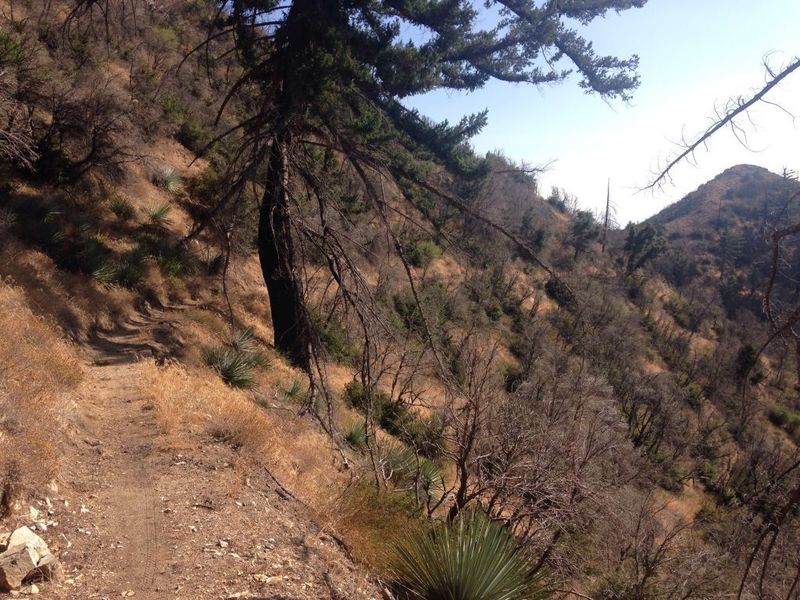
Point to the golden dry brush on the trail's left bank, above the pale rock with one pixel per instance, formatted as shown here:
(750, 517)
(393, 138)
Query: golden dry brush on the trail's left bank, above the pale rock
(37, 371)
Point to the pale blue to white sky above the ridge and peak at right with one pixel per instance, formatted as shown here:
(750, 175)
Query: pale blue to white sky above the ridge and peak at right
(694, 56)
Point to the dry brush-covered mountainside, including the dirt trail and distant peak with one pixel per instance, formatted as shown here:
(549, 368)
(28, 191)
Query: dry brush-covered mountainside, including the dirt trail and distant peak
(608, 407)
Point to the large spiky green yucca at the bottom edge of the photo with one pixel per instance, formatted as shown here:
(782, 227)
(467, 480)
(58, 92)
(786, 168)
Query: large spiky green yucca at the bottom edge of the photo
(472, 559)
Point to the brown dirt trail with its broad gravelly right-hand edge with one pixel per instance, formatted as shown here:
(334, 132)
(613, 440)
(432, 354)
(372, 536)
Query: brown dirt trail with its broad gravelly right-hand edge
(135, 517)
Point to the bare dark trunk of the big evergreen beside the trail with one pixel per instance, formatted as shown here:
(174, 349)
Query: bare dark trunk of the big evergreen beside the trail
(278, 263)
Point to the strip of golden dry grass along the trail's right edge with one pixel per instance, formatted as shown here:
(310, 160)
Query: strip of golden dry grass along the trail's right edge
(194, 405)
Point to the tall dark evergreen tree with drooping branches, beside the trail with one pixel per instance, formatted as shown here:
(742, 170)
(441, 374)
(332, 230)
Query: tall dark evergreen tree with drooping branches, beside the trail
(326, 80)
